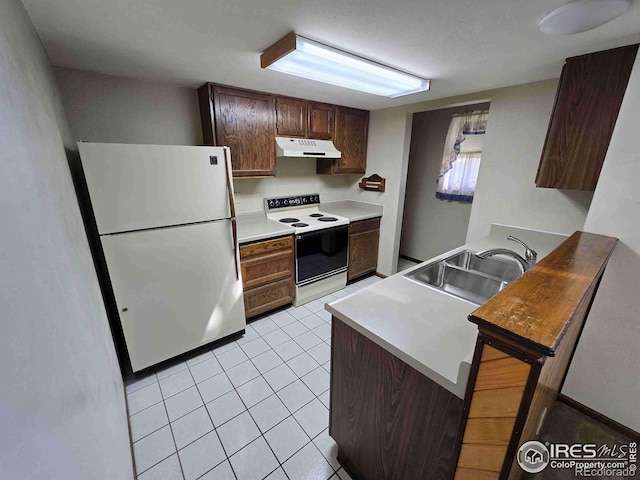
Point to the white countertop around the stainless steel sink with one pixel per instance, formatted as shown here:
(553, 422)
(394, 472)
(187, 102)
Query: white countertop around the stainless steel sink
(424, 327)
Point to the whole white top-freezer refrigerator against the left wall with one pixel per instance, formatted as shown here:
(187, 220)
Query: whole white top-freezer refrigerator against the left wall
(166, 220)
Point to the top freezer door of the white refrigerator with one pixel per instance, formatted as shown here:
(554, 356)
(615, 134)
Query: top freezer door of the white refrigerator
(133, 187)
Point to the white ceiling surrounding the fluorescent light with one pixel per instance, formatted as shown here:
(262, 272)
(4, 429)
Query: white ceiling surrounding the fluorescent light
(462, 45)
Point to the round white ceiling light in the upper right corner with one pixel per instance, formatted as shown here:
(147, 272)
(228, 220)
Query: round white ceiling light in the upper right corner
(582, 15)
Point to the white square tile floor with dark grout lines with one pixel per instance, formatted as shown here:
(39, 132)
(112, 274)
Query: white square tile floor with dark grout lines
(252, 409)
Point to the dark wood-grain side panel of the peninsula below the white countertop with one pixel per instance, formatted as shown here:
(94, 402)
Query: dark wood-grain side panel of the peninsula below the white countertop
(389, 420)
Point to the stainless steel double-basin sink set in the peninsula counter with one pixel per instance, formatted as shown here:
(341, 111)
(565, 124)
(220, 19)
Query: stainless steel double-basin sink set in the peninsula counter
(466, 276)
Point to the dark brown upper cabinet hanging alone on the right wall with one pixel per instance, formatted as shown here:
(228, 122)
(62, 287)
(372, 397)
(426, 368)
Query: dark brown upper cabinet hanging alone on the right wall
(587, 103)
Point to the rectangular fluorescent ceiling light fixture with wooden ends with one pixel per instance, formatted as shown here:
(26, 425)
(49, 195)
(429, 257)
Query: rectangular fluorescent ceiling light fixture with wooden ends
(306, 58)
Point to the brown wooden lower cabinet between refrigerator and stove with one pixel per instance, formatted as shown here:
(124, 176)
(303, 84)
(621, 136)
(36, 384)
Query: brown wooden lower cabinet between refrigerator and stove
(267, 274)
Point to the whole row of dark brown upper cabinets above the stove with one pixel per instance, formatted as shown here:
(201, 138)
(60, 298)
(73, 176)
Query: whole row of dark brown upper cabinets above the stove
(248, 122)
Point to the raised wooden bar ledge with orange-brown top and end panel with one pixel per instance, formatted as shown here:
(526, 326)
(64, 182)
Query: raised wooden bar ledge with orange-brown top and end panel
(527, 334)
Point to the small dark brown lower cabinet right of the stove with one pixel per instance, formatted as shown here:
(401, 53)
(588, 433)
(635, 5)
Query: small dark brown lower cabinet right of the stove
(364, 237)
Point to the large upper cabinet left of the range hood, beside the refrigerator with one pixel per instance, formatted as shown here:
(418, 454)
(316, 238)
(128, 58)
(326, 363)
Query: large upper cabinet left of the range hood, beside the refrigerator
(244, 121)
